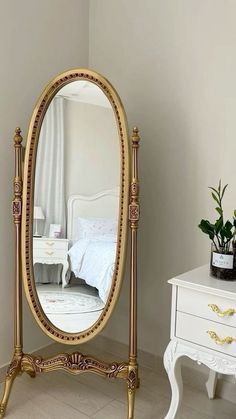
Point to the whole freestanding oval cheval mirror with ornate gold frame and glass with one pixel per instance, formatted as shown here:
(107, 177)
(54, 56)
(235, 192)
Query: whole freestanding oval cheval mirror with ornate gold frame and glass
(71, 213)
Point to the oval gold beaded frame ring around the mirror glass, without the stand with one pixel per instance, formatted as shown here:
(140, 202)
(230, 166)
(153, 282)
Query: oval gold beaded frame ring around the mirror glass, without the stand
(28, 198)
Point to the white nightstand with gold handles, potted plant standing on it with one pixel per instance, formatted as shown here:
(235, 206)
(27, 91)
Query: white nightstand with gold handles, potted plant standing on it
(203, 328)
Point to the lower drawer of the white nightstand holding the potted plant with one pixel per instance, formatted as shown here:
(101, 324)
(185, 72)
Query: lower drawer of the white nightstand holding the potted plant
(194, 329)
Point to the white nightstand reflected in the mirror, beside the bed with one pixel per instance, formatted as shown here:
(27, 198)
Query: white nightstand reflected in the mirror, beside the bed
(52, 251)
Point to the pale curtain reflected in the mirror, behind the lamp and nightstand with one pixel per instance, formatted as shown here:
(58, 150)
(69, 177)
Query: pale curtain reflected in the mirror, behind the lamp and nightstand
(50, 181)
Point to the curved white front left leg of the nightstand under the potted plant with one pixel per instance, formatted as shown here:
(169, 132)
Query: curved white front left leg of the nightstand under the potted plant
(173, 369)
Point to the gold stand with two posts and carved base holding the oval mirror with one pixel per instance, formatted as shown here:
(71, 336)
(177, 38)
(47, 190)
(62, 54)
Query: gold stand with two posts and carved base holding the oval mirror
(75, 363)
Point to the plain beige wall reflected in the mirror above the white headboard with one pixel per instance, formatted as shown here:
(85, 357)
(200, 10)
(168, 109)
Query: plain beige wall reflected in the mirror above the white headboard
(91, 138)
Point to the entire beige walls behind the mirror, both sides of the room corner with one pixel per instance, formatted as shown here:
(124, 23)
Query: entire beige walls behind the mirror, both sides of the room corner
(174, 65)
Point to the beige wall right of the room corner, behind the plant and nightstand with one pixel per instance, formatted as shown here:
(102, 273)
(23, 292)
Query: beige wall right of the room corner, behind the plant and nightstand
(173, 64)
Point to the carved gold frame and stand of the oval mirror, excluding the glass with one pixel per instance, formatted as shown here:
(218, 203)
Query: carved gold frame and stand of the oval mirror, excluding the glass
(74, 363)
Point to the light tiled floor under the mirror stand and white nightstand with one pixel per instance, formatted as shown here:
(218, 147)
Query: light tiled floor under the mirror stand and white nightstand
(62, 396)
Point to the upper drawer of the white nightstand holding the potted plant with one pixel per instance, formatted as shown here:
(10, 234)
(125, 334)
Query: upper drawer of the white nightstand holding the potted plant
(197, 303)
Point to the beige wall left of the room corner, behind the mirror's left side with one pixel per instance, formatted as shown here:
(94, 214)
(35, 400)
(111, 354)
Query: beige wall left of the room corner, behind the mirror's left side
(38, 39)
